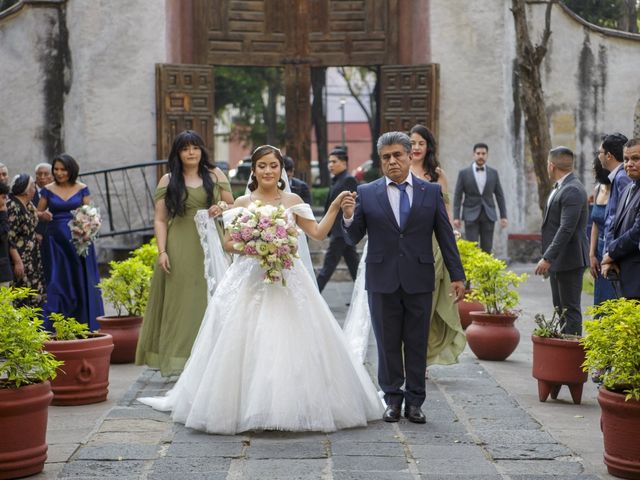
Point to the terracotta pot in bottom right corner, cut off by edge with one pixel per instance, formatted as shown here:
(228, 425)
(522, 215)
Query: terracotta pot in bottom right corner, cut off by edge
(620, 424)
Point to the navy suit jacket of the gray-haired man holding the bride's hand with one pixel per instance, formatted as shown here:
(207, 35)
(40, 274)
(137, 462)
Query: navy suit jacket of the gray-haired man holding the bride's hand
(403, 258)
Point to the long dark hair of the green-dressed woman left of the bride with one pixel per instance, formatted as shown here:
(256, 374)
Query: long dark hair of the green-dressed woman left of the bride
(176, 196)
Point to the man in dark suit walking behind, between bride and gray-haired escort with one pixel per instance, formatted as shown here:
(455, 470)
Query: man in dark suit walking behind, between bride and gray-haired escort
(341, 180)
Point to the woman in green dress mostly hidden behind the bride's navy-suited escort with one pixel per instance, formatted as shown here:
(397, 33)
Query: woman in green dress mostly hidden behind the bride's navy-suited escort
(446, 336)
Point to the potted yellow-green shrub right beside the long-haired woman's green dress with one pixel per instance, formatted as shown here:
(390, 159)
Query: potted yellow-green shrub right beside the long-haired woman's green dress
(127, 289)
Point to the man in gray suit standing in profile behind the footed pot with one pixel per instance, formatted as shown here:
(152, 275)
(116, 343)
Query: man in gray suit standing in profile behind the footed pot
(564, 239)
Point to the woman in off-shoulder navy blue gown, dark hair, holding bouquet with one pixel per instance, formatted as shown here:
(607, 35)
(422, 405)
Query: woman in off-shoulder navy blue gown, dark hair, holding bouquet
(71, 279)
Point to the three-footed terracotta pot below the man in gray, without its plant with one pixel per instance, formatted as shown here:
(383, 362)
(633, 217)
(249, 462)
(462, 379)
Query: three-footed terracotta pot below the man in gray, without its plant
(557, 362)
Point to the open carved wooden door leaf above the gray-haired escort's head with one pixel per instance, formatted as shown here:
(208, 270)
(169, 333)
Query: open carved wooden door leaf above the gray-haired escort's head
(409, 95)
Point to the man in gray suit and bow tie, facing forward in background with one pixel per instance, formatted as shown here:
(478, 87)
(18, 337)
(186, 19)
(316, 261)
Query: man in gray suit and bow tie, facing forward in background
(479, 183)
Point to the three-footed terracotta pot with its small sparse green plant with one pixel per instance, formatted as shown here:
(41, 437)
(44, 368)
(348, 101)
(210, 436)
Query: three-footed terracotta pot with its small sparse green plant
(557, 358)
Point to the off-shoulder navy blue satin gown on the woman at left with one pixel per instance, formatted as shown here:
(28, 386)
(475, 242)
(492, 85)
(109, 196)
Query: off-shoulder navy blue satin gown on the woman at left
(71, 279)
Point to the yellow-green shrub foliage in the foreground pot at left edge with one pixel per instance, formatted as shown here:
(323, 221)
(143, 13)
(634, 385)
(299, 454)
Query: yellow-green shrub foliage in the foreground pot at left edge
(23, 360)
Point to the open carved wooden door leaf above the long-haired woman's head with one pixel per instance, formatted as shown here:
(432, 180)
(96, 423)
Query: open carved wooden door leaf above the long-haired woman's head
(184, 101)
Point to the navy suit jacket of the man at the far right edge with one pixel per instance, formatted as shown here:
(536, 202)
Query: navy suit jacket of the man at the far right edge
(623, 246)
